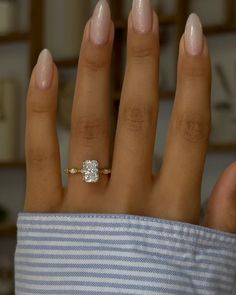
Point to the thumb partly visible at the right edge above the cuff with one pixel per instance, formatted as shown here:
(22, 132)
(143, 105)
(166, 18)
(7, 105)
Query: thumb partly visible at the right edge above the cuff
(221, 211)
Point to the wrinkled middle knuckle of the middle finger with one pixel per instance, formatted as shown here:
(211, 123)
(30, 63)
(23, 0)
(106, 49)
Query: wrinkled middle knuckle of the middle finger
(138, 118)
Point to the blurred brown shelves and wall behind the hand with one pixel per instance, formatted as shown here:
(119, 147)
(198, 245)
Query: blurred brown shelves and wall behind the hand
(27, 26)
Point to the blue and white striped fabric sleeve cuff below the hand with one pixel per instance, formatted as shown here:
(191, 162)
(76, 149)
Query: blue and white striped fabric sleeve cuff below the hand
(106, 254)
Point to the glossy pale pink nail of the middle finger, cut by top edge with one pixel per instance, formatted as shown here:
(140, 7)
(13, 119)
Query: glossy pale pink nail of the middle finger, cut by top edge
(142, 15)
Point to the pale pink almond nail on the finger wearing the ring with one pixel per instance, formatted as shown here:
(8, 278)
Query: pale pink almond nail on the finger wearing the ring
(100, 23)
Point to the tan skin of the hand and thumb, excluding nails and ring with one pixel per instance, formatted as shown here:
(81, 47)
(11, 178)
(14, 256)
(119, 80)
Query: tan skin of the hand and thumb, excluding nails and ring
(131, 188)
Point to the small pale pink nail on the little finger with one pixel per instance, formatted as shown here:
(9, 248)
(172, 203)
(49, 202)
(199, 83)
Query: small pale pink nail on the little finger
(44, 69)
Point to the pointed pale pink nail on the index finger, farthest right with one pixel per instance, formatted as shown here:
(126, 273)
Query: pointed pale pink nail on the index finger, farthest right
(193, 35)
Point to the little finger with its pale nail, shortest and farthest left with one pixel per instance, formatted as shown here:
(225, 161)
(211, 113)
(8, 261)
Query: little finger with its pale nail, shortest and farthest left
(44, 187)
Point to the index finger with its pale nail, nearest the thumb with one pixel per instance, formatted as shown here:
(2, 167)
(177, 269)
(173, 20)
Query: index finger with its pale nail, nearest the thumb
(179, 186)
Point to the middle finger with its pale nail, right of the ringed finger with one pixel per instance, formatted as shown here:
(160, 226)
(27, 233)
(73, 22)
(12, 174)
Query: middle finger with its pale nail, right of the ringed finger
(136, 128)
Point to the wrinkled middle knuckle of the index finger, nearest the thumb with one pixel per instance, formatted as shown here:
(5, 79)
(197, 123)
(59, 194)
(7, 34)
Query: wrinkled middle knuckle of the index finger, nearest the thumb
(192, 128)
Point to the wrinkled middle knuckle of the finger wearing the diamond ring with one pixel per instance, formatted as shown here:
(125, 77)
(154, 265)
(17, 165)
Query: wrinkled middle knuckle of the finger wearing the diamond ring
(90, 129)
